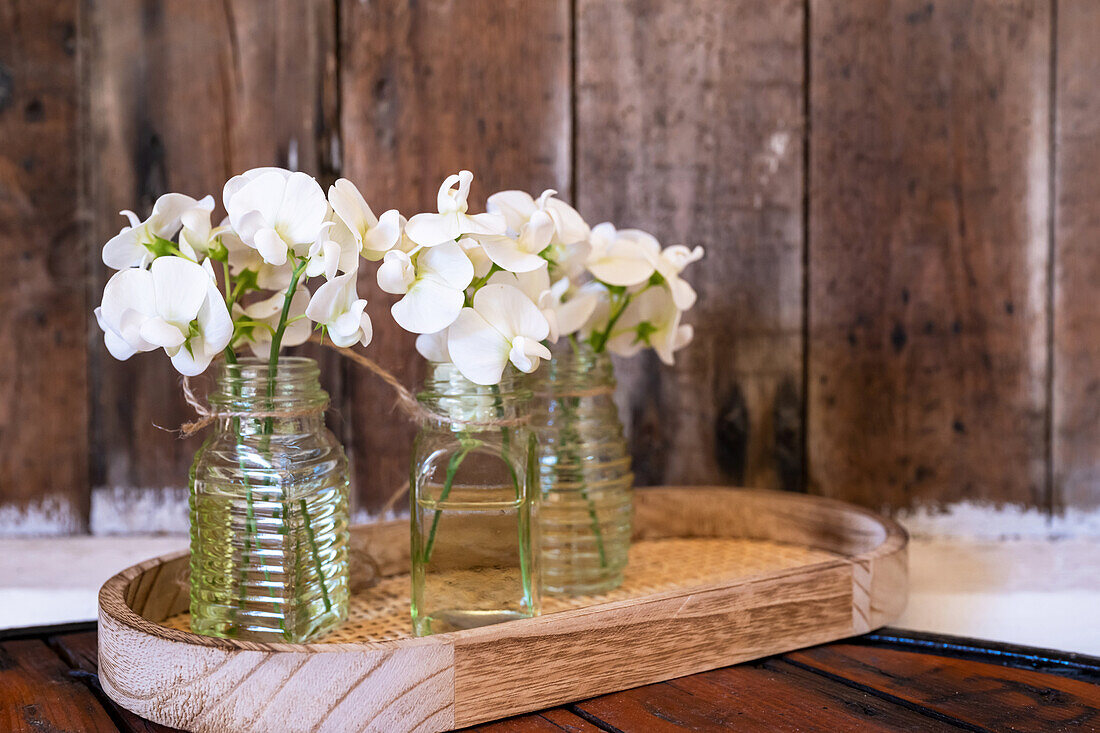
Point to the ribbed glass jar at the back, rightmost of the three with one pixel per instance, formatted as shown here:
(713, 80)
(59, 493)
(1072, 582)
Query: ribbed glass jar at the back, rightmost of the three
(585, 474)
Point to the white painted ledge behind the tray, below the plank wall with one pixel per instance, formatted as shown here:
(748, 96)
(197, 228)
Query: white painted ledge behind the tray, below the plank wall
(1040, 593)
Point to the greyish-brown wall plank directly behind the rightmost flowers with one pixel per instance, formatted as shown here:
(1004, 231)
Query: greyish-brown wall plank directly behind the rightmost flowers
(690, 126)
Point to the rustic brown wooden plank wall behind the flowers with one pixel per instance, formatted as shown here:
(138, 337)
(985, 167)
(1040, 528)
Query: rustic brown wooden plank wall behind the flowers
(899, 200)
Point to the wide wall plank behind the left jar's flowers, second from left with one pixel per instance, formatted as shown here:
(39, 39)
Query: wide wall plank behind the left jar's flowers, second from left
(182, 96)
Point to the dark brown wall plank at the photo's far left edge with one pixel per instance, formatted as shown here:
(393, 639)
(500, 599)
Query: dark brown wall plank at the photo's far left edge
(43, 382)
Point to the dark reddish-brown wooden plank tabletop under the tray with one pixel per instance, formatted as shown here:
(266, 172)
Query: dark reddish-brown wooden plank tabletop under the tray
(890, 681)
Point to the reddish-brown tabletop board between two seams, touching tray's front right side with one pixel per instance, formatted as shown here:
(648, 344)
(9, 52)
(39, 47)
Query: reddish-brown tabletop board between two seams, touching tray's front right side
(765, 696)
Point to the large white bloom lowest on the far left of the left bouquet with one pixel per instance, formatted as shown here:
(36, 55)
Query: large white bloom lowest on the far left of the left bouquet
(174, 305)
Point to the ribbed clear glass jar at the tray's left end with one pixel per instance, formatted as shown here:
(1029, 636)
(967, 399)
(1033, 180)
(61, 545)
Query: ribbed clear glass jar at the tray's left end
(269, 509)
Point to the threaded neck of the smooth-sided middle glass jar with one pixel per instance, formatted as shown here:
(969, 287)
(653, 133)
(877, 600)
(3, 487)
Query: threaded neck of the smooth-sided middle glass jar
(448, 393)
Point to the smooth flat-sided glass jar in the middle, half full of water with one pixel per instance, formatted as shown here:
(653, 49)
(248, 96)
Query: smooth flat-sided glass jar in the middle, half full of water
(474, 506)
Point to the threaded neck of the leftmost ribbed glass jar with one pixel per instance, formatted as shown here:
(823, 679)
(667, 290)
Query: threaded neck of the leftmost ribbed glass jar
(251, 390)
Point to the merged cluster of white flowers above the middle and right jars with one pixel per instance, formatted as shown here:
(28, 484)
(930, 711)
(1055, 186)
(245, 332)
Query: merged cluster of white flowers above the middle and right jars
(487, 290)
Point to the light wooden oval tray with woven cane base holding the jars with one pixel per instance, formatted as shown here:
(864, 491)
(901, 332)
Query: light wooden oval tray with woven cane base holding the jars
(717, 577)
